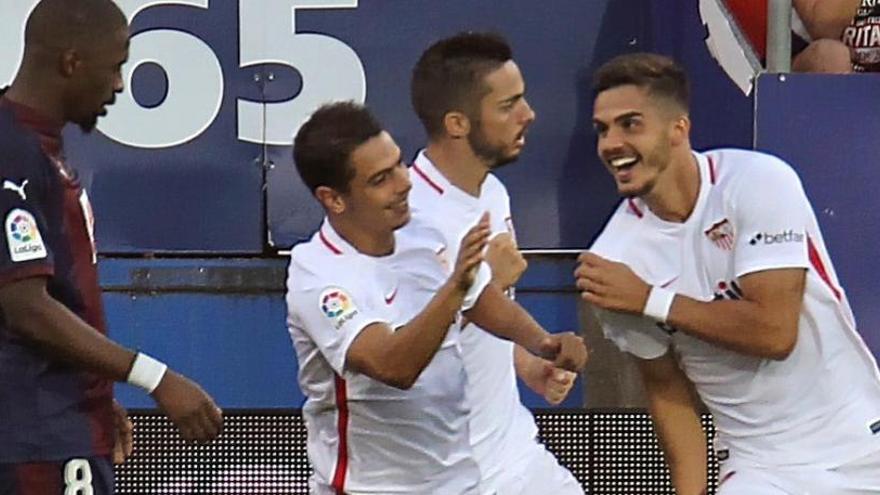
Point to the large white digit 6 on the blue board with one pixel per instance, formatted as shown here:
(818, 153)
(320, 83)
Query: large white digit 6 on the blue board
(195, 85)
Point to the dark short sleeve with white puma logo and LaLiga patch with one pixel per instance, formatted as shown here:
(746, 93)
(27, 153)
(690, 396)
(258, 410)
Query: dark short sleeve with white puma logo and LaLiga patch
(24, 249)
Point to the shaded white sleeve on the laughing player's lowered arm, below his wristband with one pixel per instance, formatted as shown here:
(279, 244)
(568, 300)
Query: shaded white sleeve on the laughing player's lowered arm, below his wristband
(635, 335)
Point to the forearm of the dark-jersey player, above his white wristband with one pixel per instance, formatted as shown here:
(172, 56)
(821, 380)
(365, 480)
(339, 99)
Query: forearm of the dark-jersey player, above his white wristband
(55, 330)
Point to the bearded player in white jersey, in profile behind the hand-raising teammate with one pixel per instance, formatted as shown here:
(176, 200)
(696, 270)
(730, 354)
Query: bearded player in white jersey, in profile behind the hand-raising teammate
(470, 96)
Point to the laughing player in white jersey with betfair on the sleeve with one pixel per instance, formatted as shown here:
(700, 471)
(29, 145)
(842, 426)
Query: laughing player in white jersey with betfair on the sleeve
(713, 273)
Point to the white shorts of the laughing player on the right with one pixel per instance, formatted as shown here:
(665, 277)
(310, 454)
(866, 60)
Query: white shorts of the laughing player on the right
(860, 477)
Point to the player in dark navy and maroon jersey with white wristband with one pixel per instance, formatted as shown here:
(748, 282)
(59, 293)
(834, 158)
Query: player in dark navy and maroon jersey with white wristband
(59, 424)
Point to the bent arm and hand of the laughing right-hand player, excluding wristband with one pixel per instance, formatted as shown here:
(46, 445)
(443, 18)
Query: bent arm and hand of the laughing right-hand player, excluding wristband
(764, 323)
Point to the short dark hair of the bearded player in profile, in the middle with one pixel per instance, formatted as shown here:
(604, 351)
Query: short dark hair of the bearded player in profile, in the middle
(449, 76)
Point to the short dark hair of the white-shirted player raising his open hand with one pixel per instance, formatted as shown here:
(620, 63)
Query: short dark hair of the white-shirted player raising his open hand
(323, 146)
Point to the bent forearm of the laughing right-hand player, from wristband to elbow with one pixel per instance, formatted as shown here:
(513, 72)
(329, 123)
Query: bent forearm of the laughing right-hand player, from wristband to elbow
(741, 326)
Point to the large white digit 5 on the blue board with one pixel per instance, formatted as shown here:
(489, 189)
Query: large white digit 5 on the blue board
(330, 69)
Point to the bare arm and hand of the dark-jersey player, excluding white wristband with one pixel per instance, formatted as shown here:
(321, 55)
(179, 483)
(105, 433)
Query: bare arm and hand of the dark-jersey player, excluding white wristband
(51, 328)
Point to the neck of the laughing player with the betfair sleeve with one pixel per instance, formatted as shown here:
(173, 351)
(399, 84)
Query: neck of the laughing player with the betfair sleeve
(674, 195)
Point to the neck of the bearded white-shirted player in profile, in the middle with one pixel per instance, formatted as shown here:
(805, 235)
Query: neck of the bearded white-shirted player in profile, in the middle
(456, 160)
